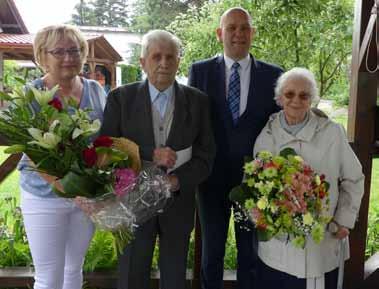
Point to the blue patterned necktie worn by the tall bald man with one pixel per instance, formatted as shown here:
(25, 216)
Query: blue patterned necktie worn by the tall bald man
(234, 93)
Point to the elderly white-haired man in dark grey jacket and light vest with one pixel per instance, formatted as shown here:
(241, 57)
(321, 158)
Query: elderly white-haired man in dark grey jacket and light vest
(171, 124)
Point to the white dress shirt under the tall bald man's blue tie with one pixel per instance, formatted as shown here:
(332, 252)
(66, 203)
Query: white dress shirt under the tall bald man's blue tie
(244, 71)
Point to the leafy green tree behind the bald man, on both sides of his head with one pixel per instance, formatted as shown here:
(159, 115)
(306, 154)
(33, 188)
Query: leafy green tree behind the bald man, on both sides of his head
(311, 33)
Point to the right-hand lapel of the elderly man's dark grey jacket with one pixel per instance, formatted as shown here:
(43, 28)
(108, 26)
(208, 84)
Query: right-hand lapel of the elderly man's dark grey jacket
(180, 115)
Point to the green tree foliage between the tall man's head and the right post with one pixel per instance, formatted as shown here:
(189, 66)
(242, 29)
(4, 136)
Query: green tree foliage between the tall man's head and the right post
(312, 33)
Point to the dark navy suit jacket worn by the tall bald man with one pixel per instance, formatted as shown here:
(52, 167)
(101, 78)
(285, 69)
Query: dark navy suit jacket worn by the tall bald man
(234, 142)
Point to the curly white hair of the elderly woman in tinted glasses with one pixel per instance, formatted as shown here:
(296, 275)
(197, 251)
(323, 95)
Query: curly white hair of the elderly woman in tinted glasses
(297, 73)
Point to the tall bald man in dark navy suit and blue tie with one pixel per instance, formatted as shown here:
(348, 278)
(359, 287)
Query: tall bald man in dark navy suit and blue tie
(241, 92)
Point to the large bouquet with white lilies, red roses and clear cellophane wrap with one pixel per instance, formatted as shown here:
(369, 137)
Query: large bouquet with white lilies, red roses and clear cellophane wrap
(58, 138)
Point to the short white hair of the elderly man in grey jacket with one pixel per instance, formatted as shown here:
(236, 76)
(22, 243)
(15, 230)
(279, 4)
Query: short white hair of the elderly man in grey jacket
(155, 36)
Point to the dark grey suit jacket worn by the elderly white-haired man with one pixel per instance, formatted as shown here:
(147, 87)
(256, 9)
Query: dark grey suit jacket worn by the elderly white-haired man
(128, 114)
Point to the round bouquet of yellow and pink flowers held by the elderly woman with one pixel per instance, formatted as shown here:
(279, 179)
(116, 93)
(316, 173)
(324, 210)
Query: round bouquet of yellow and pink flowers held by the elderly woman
(283, 197)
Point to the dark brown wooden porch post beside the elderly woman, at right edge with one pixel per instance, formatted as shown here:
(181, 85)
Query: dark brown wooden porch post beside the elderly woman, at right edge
(361, 128)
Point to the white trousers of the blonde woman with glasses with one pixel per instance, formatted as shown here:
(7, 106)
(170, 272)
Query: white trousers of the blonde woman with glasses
(59, 235)
